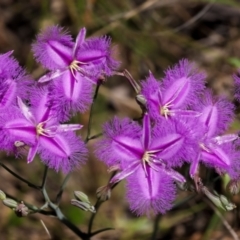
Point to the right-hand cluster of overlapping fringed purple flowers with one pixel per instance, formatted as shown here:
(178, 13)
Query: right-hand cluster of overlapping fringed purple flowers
(183, 123)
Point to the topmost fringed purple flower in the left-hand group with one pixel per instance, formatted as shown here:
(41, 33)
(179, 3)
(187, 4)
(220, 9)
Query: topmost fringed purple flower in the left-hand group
(74, 67)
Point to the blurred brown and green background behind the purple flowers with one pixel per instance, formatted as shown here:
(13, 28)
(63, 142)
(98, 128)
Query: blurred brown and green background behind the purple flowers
(146, 35)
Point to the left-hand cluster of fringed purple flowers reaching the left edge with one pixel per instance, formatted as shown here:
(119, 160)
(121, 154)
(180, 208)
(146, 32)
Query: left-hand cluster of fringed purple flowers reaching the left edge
(34, 113)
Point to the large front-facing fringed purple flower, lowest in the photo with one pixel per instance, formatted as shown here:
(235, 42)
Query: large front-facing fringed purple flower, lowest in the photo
(142, 155)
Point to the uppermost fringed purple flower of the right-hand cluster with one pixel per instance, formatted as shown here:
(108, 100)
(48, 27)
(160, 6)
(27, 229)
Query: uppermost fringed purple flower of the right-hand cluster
(178, 90)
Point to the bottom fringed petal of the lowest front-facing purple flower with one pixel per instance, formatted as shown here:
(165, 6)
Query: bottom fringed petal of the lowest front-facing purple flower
(153, 193)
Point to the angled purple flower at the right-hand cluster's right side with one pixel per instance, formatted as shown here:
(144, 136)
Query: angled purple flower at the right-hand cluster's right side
(215, 150)
